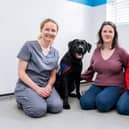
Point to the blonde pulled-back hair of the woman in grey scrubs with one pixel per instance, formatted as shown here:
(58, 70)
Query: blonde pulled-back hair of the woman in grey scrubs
(46, 21)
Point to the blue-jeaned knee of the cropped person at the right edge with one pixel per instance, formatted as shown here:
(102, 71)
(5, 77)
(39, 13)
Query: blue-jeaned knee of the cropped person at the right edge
(123, 104)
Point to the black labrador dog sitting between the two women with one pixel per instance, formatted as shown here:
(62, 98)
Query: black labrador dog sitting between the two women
(68, 77)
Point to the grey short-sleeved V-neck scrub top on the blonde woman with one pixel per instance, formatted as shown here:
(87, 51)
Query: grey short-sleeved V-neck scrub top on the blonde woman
(39, 66)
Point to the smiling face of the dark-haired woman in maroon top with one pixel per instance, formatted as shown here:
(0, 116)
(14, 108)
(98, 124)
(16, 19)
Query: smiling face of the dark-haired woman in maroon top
(107, 34)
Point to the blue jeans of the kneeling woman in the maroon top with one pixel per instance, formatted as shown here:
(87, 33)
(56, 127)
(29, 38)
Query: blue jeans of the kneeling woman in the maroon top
(102, 98)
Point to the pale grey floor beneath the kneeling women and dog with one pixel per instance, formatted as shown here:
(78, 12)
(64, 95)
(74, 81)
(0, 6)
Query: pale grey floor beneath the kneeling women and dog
(13, 118)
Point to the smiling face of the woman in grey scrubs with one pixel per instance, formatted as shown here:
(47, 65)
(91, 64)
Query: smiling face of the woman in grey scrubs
(49, 32)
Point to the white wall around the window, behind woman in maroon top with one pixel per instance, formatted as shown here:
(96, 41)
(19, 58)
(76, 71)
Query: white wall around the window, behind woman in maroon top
(98, 16)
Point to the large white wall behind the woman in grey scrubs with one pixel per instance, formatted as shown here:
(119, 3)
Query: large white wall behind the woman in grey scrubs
(20, 22)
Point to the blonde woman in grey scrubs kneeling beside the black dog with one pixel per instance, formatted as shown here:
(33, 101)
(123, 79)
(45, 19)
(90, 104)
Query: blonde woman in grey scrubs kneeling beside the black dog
(37, 66)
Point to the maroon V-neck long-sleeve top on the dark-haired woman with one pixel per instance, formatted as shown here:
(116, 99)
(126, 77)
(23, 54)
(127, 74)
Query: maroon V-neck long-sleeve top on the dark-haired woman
(109, 72)
